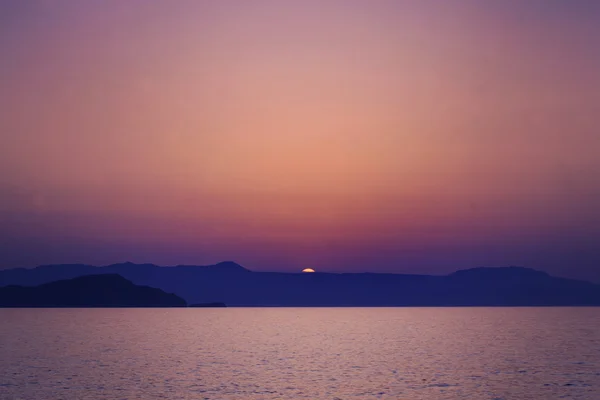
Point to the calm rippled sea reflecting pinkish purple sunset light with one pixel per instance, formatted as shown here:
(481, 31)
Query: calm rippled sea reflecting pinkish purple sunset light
(300, 353)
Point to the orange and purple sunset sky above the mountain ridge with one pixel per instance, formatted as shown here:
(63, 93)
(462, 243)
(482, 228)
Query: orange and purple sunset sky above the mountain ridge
(384, 136)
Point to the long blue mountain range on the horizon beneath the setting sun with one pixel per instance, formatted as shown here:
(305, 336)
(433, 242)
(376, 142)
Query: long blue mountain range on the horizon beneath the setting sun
(231, 284)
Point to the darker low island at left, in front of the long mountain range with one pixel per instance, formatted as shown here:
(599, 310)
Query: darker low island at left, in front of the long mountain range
(106, 290)
